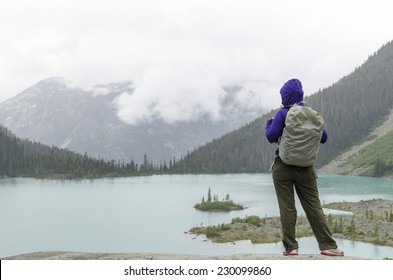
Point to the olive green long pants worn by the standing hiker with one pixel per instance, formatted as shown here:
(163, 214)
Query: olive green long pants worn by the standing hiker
(287, 179)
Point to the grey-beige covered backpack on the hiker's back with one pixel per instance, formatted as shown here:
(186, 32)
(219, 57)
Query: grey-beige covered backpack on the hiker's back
(301, 137)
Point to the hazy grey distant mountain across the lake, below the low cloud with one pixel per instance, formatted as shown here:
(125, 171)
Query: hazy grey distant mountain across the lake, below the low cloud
(56, 112)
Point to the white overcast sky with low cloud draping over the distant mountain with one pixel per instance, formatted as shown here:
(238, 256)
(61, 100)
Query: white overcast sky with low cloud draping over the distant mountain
(179, 54)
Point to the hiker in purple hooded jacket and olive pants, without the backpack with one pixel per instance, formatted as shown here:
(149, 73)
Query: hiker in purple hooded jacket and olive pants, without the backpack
(290, 178)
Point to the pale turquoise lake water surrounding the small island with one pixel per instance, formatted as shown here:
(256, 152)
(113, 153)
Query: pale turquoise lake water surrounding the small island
(152, 214)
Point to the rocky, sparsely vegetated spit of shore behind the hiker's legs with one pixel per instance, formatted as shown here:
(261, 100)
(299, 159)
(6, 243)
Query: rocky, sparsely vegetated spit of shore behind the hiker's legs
(367, 221)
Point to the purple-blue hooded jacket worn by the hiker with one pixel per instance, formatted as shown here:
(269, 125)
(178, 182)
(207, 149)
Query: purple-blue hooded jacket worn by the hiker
(291, 93)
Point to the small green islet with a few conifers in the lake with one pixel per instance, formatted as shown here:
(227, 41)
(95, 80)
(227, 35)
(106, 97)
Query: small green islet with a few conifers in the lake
(212, 204)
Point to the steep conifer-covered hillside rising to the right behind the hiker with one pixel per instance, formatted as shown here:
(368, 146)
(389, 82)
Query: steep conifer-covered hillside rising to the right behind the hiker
(352, 107)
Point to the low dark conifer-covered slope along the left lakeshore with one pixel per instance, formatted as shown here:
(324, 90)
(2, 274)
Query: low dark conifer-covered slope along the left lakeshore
(23, 158)
